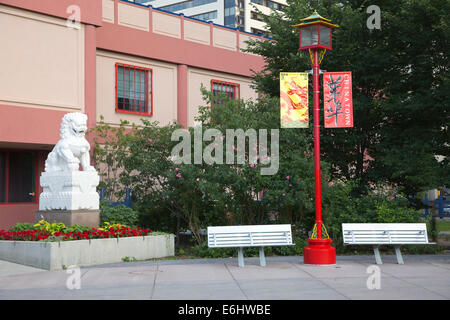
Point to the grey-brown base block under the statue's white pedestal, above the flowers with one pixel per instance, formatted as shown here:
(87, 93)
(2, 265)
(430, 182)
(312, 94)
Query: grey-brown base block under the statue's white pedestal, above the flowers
(89, 218)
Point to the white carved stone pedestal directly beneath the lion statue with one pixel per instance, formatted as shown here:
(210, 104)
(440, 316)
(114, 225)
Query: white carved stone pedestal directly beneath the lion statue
(69, 190)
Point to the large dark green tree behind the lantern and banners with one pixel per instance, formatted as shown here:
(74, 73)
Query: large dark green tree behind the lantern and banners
(400, 87)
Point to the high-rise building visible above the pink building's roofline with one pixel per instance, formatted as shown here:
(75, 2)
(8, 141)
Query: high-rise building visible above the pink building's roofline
(239, 14)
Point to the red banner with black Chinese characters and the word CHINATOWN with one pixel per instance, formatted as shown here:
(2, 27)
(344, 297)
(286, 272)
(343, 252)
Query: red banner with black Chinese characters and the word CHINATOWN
(338, 102)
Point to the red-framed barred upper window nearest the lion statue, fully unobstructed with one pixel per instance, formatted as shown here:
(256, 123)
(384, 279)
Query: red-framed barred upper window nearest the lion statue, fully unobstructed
(133, 90)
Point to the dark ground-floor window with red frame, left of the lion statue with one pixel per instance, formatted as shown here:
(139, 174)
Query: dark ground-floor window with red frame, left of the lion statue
(18, 177)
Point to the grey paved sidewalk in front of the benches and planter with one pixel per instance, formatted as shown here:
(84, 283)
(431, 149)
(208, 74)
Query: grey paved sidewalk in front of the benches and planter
(422, 277)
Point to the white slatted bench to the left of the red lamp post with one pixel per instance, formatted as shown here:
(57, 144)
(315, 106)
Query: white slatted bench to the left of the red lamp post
(250, 236)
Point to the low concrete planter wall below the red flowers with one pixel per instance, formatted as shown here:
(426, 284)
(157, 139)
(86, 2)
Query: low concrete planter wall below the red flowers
(55, 255)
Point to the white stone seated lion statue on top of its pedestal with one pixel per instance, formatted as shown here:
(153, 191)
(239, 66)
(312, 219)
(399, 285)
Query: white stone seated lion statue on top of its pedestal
(73, 148)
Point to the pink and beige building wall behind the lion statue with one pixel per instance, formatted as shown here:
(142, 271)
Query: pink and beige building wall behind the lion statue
(67, 69)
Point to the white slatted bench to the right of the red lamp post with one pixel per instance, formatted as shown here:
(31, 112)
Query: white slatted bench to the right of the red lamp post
(376, 234)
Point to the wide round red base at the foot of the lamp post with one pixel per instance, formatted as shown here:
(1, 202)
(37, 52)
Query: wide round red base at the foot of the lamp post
(319, 252)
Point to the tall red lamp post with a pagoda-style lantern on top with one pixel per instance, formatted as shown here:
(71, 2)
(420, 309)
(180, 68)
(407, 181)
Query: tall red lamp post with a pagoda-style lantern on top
(315, 35)
